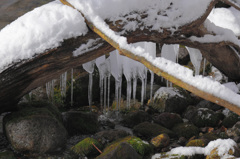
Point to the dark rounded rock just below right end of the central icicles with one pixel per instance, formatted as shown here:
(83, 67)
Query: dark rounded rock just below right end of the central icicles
(134, 118)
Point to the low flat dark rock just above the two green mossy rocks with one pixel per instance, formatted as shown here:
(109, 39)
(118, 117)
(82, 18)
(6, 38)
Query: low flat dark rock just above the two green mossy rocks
(108, 136)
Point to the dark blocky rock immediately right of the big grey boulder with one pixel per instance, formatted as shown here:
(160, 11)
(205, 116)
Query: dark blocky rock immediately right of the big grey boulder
(80, 122)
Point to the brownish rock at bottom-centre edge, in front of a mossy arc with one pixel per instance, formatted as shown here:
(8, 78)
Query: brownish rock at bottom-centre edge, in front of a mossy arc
(123, 150)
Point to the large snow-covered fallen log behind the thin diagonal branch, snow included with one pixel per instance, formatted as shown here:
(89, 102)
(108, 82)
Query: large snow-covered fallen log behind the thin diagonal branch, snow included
(21, 75)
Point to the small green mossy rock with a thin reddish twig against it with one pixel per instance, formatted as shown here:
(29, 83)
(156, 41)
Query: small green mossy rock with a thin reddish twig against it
(86, 147)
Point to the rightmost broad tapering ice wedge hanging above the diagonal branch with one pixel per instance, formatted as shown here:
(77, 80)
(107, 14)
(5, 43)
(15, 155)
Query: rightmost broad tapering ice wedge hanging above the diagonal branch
(196, 59)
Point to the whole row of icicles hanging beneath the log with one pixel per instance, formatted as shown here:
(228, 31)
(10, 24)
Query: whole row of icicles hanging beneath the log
(117, 65)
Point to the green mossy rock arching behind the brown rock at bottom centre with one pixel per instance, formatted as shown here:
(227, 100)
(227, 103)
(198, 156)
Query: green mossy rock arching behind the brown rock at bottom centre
(140, 146)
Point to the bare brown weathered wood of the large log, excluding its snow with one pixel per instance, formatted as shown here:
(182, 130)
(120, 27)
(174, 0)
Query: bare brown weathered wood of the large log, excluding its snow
(22, 77)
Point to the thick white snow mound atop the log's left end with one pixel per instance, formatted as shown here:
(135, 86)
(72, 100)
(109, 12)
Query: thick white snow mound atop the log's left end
(36, 31)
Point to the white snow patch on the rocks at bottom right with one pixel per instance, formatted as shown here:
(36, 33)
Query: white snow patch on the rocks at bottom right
(223, 146)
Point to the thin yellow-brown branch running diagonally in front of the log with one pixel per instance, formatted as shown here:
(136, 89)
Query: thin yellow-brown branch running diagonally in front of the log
(150, 63)
